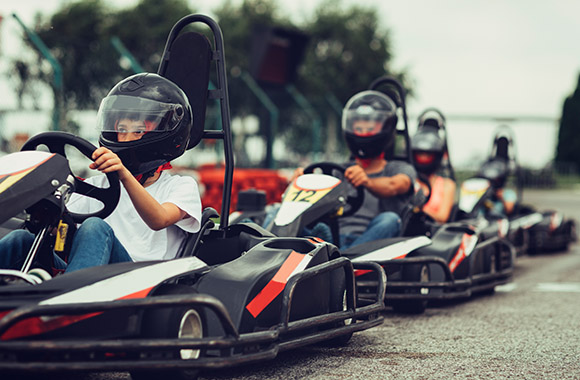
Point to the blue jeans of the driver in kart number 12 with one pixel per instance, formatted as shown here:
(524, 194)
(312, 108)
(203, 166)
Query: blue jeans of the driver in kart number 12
(383, 226)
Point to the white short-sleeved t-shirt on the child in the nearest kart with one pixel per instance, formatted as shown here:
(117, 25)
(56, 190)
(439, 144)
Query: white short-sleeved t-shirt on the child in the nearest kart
(141, 242)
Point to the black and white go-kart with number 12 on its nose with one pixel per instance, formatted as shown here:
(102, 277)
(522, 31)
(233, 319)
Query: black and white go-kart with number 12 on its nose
(428, 261)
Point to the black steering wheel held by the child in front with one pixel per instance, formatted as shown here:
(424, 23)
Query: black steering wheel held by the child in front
(56, 141)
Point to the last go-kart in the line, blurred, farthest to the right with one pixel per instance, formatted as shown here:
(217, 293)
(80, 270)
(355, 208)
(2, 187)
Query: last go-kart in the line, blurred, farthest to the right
(530, 230)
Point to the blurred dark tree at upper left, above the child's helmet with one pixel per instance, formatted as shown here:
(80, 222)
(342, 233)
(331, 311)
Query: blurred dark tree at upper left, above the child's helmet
(79, 36)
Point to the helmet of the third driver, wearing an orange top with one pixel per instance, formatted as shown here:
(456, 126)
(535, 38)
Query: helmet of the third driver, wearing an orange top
(428, 148)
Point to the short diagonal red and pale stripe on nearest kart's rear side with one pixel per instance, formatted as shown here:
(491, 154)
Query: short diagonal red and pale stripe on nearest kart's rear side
(276, 284)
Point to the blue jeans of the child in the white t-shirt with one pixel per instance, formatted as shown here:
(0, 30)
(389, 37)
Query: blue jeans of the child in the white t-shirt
(94, 244)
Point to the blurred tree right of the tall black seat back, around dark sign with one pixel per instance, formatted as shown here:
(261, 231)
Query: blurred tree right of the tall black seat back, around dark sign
(346, 52)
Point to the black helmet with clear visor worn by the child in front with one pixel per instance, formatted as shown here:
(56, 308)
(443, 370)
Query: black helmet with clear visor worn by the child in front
(154, 108)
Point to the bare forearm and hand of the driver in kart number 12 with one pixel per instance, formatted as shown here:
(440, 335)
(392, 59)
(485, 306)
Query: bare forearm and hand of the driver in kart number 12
(382, 187)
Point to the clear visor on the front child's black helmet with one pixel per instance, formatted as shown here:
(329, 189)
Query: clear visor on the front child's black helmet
(138, 116)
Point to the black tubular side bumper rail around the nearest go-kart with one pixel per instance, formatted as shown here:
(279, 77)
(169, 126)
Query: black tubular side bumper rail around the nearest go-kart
(272, 340)
